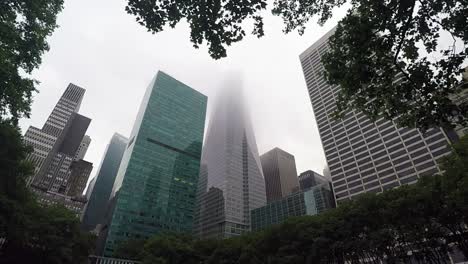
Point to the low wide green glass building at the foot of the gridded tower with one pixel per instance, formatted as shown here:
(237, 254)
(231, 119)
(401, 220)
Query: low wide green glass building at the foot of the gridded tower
(309, 202)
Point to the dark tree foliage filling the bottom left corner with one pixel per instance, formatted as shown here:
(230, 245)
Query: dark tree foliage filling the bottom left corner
(33, 233)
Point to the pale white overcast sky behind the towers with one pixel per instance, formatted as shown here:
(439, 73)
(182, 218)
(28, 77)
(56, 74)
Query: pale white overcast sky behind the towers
(101, 48)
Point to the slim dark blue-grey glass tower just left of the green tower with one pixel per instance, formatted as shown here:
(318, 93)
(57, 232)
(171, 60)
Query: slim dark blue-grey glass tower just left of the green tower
(104, 182)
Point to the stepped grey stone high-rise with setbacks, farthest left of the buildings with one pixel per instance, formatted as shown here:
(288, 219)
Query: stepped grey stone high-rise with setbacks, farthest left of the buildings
(57, 175)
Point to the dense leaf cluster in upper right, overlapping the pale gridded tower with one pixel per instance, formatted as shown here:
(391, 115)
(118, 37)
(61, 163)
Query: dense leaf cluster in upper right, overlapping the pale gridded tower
(389, 59)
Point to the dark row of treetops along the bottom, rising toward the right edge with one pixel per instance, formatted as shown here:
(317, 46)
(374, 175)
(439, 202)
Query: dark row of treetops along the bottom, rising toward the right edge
(419, 223)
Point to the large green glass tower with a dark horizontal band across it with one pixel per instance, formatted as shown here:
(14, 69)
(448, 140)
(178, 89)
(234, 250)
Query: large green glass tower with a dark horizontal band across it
(158, 175)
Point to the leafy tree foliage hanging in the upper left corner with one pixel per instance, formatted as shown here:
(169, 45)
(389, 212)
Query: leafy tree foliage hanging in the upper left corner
(24, 27)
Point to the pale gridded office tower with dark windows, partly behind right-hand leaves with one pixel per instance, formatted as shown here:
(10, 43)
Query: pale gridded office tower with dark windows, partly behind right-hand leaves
(366, 156)
